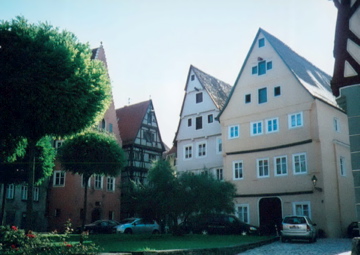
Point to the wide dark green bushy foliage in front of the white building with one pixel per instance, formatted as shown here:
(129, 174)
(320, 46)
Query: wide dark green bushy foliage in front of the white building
(166, 196)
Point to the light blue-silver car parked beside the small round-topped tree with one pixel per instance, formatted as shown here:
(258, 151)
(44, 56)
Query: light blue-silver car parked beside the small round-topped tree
(138, 226)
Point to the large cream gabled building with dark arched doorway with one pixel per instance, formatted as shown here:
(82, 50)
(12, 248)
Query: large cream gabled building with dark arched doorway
(285, 141)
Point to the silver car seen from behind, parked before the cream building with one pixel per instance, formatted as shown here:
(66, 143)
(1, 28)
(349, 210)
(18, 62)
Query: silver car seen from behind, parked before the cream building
(298, 227)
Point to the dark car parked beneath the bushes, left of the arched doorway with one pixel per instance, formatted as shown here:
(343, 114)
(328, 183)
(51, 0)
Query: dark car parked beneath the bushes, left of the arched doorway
(220, 224)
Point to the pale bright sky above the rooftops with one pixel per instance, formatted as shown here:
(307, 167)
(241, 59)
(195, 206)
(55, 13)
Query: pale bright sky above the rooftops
(150, 44)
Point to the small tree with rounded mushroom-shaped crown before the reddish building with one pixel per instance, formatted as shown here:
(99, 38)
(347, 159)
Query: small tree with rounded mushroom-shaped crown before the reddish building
(93, 152)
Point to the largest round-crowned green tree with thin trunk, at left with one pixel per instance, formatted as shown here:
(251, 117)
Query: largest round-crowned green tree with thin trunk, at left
(49, 86)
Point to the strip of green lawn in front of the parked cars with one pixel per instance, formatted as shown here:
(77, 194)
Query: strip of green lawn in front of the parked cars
(122, 243)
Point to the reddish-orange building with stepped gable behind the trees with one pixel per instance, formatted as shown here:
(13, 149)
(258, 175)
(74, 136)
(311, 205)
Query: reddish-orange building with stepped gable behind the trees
(66, 190)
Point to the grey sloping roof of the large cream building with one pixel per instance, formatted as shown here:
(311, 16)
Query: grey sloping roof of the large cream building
(314, 80)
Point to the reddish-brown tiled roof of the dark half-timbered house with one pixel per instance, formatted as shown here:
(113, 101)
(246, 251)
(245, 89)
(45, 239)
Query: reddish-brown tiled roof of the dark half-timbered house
(130, 119)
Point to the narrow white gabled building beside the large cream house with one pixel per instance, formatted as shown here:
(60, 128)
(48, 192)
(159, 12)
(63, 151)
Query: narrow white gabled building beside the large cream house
(198, 138)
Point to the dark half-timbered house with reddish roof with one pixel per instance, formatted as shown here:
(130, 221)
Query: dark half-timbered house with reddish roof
(142, 145)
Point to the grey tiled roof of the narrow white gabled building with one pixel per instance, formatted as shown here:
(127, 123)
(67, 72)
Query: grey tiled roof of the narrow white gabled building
(217, 90)
